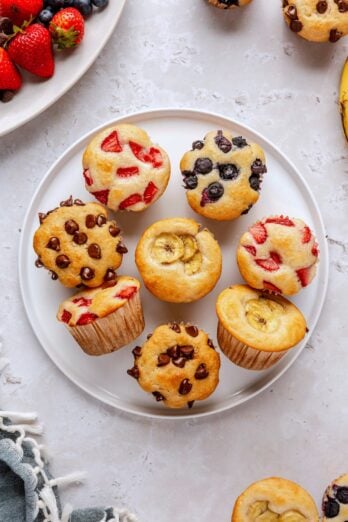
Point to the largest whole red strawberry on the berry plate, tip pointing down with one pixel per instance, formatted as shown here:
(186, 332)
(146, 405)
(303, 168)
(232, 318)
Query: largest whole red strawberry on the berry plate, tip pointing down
(31, 49)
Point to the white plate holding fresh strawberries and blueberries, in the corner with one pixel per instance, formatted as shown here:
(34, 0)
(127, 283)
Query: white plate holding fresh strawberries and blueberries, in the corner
(36, 95)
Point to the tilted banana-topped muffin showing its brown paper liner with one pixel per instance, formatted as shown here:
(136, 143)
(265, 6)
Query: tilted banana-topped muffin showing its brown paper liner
(256, 329)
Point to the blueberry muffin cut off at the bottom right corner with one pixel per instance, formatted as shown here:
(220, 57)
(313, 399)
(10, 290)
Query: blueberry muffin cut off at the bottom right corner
(335, 501)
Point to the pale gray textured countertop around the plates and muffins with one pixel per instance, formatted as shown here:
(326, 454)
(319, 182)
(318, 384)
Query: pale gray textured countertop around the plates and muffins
(249, 66)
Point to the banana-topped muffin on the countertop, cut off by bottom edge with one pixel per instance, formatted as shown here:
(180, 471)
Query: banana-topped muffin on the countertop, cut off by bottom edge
(275, 500)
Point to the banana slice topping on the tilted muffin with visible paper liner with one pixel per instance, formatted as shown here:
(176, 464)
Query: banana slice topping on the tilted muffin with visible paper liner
(263, 314)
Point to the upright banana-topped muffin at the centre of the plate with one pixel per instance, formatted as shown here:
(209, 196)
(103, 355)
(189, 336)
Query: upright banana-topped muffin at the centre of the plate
(178, 260)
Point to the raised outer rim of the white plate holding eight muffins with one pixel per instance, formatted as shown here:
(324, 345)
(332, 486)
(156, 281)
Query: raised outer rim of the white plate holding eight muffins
(162, 113)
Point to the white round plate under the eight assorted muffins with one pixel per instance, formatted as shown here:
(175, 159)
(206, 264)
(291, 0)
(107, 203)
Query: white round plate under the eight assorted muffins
(284, 191)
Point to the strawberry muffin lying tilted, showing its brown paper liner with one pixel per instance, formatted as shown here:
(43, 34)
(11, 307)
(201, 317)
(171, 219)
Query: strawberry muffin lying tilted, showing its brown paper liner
(104, 319)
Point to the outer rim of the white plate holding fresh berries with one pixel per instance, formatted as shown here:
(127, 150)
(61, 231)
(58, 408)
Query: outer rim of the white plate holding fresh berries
(106, 36)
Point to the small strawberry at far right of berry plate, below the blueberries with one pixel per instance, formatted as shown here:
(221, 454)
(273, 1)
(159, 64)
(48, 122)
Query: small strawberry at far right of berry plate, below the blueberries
(67, 28)
